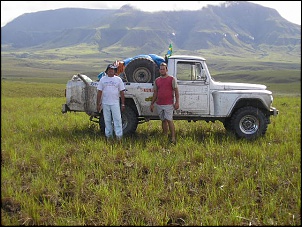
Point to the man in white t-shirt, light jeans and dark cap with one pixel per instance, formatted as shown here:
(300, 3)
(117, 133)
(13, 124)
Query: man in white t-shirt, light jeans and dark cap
(110, 89)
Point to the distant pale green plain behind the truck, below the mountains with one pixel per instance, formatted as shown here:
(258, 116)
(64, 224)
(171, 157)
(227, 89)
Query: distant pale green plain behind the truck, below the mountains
(60, 64)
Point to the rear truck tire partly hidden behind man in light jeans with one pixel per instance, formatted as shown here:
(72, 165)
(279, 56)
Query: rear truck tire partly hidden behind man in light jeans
(129, 121)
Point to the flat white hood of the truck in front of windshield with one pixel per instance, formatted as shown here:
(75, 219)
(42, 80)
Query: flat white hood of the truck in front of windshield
(237, 86)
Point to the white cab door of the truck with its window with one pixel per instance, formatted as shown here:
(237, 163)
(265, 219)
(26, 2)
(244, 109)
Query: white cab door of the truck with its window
(193, 89)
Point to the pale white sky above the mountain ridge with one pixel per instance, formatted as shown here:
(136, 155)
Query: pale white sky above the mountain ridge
(290, 10)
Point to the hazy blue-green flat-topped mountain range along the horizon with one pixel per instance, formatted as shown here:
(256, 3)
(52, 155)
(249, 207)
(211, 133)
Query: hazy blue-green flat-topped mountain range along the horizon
(233, 26)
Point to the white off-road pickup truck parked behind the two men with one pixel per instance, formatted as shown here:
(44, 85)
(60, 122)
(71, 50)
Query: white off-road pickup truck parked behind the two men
(243, 108)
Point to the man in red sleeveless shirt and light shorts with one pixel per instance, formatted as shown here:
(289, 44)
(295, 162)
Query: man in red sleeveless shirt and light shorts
(165, 90)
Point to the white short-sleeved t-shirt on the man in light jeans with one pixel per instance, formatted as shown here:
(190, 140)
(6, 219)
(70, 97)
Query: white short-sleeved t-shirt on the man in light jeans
(111, 87)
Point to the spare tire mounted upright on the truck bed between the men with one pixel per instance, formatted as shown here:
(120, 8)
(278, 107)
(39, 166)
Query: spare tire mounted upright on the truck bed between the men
(141, 70)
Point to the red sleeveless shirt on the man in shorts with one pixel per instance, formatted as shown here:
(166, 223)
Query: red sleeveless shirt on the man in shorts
(165, 94)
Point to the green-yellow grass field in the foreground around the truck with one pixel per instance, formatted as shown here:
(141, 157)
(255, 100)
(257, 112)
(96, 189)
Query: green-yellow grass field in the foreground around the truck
(57, 169)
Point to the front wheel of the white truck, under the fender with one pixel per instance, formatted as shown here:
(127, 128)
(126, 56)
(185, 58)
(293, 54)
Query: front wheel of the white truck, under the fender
(249, 123)
